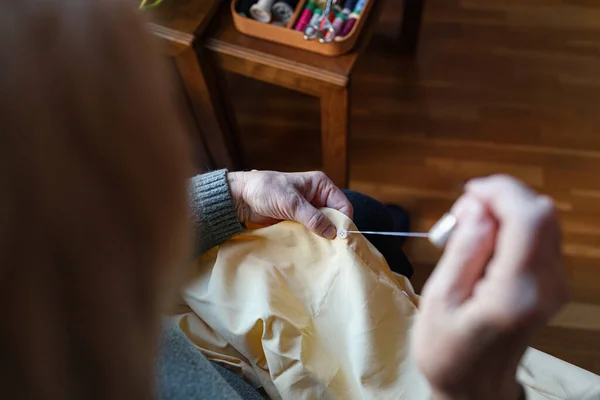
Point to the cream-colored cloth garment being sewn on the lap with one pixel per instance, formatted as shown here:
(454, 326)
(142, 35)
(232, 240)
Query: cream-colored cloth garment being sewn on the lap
(310, 318)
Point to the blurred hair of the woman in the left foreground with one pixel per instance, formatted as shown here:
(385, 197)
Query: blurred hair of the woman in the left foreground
(93, 213)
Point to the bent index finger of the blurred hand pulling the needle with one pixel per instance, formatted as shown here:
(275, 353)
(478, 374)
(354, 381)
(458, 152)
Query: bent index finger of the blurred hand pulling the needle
(525, 221)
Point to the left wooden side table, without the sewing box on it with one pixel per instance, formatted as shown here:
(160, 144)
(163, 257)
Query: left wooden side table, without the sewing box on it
(180, 26)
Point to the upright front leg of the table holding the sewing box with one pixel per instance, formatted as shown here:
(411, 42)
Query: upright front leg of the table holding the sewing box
(334, 134)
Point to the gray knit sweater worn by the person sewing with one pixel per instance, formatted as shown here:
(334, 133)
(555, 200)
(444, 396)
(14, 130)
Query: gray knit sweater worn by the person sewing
(182, 371)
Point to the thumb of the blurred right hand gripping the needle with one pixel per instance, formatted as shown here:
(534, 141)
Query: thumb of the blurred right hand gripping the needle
(467, 253)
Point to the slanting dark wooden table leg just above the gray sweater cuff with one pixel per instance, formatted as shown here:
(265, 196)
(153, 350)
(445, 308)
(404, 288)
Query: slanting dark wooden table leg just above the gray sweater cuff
(204, 94)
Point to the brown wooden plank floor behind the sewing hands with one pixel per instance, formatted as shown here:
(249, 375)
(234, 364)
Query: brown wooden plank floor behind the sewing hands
(507, 86)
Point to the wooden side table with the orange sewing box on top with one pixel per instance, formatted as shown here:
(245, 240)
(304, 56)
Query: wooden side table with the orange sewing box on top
(326, 78)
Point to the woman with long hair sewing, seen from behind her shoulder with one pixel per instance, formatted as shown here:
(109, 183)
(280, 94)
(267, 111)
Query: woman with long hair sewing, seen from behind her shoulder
(94, 225)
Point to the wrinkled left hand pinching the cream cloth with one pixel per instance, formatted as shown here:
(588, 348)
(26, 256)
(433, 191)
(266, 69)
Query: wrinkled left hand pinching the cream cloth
(267, 197)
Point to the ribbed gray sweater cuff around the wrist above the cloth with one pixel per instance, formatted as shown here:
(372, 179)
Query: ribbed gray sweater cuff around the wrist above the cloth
(213, 213)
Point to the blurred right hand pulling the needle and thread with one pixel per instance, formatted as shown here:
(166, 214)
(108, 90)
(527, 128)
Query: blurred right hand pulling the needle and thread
(497, 284)
